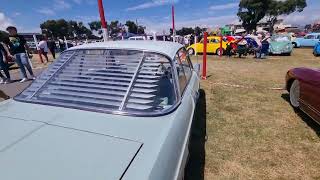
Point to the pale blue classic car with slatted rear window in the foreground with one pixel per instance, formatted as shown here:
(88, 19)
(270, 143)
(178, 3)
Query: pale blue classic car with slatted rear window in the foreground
(115, 110)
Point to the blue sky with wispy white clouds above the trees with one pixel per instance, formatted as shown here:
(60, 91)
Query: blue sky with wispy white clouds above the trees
(27, 15)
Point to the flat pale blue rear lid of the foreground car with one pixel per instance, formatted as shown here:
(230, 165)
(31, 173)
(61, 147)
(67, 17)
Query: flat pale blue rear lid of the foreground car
(38, 150)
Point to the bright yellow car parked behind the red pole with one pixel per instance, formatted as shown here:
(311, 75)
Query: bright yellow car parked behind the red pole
(213, 46)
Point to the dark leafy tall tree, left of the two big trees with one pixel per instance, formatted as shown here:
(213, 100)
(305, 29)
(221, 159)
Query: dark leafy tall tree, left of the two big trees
(251, 12)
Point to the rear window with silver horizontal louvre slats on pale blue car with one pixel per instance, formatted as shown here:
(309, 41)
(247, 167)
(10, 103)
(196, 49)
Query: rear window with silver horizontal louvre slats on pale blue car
(116, 81)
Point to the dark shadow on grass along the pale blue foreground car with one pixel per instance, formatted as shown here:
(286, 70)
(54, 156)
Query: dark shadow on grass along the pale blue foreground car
(195, 166)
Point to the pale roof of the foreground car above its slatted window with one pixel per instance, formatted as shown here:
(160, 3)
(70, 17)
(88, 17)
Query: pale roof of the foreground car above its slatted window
(164, 47)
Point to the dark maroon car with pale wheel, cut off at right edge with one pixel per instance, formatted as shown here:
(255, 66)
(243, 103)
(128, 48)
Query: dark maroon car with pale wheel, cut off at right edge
(303, 85)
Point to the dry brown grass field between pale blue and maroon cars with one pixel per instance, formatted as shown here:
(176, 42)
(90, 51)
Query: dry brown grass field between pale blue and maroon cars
(252, 131)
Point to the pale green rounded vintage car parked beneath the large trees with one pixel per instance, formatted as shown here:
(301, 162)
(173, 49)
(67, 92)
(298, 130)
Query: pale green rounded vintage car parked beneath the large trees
(280, 44)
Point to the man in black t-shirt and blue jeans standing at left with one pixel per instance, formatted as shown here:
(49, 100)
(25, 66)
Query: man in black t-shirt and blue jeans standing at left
(17, 46)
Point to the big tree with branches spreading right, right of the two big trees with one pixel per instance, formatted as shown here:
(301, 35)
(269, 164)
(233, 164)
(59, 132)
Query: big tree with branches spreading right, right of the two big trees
(285, 7)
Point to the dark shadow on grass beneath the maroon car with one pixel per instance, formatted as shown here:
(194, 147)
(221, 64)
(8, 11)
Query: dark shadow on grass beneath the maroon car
(308, 120)
